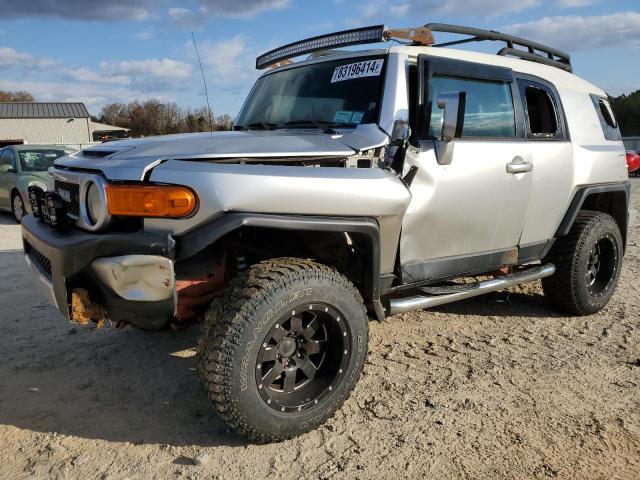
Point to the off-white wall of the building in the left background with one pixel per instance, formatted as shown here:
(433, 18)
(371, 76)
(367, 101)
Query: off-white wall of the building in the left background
(45, 130)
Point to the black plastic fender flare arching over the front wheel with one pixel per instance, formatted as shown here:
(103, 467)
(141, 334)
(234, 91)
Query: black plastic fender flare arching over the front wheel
(198, 239)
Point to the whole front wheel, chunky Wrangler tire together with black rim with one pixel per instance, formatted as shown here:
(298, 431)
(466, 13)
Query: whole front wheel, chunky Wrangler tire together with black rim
(283, 348)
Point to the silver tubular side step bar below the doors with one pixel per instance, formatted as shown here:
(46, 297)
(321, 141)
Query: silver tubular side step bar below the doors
(407, 304)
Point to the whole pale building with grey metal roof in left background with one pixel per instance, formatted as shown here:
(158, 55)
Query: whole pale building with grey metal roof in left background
(67, 123)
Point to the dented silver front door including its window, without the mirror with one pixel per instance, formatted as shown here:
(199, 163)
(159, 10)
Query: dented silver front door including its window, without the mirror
(466, 216)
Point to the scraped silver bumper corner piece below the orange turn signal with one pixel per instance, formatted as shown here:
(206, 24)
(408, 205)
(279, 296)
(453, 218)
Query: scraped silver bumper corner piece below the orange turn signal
(142, 278)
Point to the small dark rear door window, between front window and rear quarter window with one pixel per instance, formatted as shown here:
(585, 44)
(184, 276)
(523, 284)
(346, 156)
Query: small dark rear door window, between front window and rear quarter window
(541, 111)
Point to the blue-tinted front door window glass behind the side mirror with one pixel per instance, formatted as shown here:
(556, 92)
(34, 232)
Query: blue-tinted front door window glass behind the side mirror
(489, 109)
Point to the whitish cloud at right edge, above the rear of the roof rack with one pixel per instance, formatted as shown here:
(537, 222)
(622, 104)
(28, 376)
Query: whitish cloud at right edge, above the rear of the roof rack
(583, 33)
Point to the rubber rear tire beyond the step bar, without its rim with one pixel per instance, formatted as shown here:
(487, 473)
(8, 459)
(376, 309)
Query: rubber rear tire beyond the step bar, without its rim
(568, 289)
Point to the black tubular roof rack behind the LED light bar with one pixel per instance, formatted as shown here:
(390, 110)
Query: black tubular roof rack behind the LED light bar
(553, 57)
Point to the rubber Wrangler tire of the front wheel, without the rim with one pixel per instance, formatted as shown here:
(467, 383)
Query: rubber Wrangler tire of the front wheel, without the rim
(234, 331)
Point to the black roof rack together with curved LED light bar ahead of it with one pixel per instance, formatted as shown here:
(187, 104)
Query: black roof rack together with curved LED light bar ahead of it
(535, 52)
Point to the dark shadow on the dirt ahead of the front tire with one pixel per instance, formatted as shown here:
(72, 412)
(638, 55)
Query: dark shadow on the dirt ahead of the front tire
(116, 385)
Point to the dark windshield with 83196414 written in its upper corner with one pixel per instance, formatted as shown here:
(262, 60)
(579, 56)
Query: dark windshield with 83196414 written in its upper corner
(337, 93)
